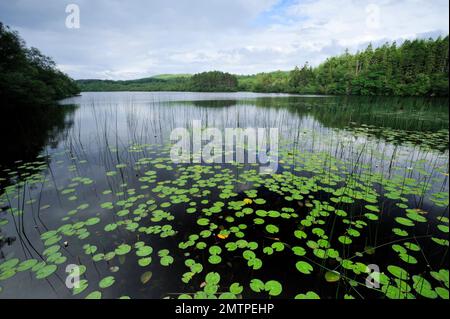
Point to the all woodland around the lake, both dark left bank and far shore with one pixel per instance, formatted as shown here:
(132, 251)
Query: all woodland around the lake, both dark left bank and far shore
(414, 68)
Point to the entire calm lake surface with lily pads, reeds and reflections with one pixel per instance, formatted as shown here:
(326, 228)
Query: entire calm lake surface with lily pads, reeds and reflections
(370, 170)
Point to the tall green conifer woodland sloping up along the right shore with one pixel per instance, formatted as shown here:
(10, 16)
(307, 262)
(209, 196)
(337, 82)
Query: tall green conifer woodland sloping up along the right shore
(416, 68)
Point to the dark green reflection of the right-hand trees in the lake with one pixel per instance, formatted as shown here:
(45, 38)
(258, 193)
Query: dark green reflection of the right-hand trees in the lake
(380, 117)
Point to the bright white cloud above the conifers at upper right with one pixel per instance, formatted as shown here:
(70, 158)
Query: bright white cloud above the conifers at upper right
(350, 21)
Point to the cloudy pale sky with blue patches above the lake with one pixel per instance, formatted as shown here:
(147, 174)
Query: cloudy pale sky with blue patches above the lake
(136, 38)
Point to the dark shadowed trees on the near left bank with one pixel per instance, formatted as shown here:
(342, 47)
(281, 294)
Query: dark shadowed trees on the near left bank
(28, 77)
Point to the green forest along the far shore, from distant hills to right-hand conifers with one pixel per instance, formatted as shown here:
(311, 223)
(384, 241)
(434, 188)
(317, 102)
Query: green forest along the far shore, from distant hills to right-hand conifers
(414, 68)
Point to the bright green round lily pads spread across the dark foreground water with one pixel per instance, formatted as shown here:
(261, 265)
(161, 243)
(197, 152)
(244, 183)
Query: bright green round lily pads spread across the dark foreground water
(312, 230)
